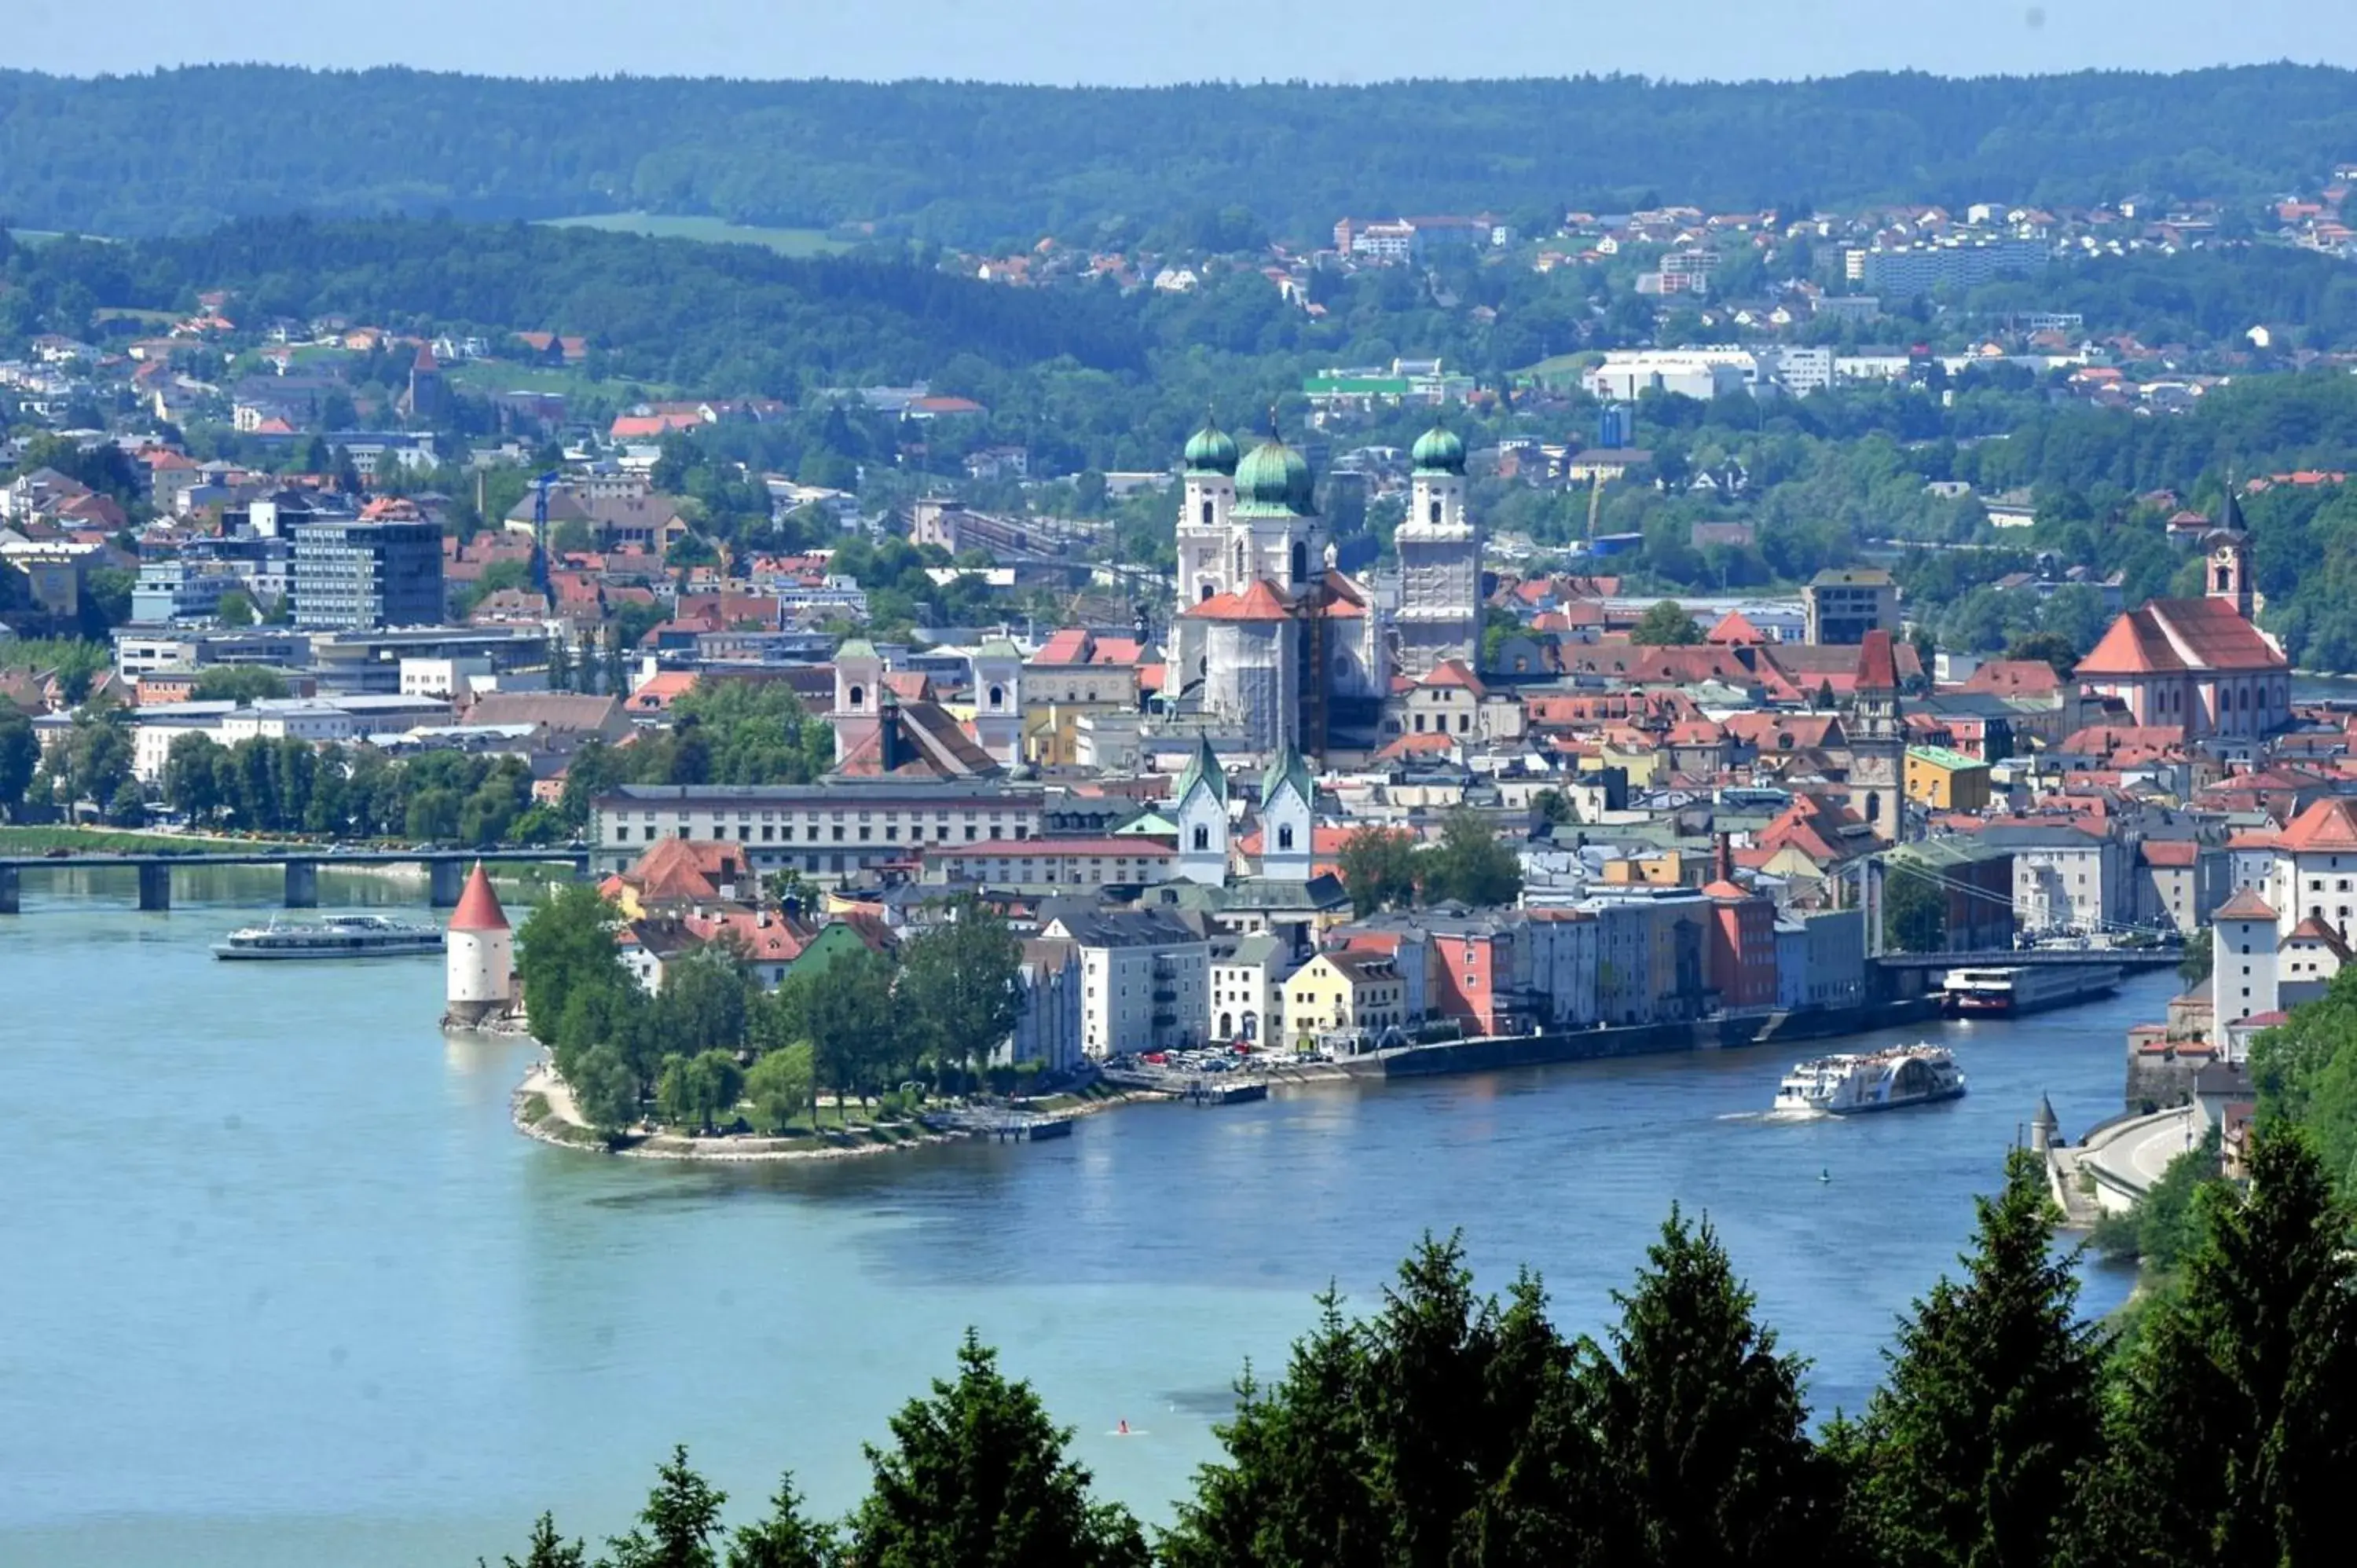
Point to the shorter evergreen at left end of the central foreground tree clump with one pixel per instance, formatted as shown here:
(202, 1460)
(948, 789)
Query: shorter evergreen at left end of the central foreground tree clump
(1295, 1487)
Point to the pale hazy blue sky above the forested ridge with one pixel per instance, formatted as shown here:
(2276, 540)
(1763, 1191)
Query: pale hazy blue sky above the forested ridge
(1097, 41)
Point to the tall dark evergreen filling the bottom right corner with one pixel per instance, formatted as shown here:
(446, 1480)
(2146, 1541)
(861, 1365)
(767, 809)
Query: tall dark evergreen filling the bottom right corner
(2236, 1435)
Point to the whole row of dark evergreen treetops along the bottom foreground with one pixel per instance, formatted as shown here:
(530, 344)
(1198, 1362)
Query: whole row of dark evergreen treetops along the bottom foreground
(1453, 1430)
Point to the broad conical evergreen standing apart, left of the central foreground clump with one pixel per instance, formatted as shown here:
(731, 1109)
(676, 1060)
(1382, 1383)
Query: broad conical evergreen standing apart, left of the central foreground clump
(977, 1477)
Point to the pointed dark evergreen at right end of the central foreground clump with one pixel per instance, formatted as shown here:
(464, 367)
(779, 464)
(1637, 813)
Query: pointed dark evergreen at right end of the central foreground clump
(1703, 1430)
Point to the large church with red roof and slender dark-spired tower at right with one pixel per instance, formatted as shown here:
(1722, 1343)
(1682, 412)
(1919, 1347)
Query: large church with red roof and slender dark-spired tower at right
(2198, 664)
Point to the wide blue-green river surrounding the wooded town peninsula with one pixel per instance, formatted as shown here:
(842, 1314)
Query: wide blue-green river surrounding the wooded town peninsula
(284, 1289)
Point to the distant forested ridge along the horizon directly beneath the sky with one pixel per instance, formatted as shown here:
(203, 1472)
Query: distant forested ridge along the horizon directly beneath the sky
(977, 164)
